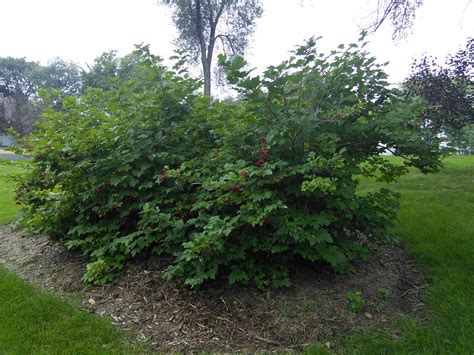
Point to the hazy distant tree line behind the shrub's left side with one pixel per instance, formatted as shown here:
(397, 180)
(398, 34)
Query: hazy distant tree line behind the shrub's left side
(25, 85)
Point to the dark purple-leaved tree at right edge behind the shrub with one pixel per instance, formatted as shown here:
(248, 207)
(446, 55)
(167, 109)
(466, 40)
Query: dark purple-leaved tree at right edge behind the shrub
(447, 90)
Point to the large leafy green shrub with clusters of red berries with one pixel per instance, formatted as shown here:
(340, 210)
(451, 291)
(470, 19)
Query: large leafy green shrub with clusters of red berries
(245, 190)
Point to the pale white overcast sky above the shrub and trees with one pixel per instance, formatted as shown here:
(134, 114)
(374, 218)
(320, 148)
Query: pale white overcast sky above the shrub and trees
(82, 30)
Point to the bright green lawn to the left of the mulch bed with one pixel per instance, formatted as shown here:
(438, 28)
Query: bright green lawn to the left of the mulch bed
(34, 322)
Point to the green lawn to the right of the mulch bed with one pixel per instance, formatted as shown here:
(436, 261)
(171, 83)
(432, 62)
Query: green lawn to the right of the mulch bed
(436, 226)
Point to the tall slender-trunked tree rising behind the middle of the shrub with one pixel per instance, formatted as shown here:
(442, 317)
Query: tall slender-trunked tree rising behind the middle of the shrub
(206, 26)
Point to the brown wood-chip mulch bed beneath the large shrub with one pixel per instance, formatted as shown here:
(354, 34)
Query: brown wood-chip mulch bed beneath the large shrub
(220, 317)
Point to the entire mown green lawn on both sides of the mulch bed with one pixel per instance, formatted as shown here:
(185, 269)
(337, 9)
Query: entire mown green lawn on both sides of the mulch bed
(436, 226)
